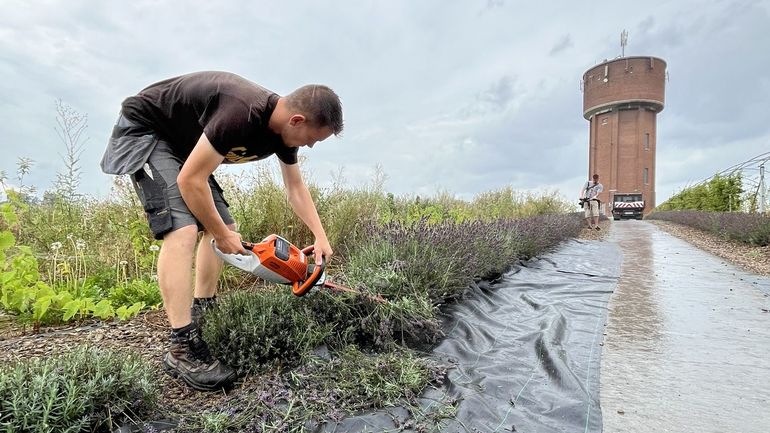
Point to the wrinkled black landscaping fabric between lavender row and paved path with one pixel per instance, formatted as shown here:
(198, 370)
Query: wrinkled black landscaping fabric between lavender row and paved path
(525, 349)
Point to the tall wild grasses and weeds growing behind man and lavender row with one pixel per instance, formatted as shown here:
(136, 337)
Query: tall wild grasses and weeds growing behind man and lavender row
(98, 260)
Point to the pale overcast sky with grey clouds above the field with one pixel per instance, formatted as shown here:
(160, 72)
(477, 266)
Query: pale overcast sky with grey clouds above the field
(458, 96)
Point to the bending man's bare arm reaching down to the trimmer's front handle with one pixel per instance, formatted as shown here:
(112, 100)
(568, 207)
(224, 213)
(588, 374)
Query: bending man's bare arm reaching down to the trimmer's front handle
(302, 204)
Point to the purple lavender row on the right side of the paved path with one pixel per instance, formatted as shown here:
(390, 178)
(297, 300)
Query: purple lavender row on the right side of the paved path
(750, 228)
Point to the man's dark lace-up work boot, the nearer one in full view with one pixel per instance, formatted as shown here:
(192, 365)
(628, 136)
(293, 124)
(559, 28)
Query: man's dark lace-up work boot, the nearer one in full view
(189, 359)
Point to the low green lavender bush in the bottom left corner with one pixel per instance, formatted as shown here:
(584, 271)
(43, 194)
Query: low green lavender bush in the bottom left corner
(86, 390)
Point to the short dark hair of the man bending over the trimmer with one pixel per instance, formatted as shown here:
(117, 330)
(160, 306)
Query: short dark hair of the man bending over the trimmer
(319, 104)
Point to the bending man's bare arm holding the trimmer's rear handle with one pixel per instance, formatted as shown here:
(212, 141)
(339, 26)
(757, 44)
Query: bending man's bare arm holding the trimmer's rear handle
(193, 181)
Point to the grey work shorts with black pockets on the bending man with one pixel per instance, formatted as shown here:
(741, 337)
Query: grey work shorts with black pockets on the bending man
(155, 183)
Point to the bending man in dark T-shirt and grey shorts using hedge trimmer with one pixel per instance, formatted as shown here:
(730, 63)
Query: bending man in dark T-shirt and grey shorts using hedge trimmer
(170, 138)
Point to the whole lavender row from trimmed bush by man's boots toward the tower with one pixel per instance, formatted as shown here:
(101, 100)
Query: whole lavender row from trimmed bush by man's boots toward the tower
(401, 276)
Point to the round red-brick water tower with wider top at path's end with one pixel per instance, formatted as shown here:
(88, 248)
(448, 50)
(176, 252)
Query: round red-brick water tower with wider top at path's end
(621, 99)
